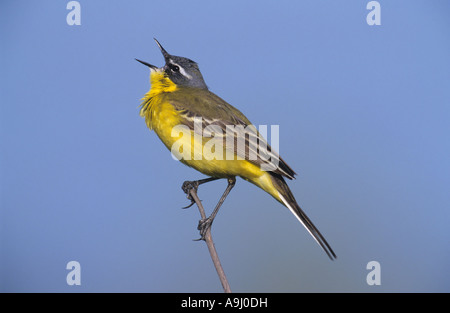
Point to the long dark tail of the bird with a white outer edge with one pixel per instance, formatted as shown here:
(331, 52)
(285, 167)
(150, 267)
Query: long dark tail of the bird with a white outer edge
(287, 198)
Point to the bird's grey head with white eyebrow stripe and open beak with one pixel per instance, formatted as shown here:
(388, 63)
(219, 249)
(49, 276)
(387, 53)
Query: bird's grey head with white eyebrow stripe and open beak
(182, 71)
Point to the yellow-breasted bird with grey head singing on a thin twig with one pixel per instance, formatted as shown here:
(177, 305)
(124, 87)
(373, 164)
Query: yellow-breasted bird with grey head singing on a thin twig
(179, 97)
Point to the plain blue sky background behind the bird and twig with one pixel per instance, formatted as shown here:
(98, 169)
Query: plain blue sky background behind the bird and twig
(364, 119)
